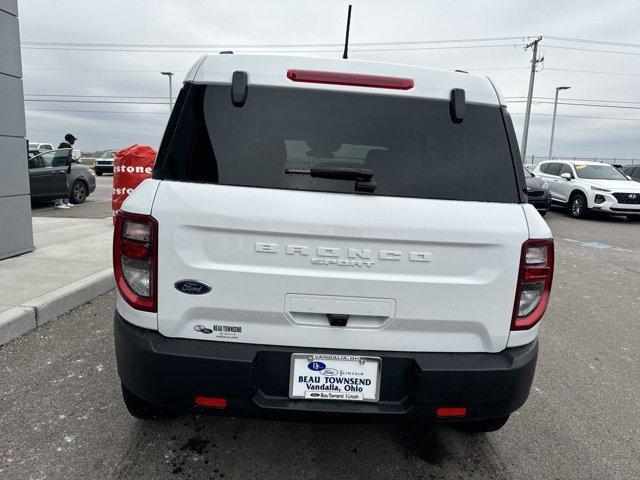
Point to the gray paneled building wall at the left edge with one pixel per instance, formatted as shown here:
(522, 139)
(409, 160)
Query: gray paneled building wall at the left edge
(16, 235)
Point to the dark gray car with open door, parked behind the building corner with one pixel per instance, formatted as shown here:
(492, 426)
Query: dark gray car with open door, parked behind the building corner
(51, 177)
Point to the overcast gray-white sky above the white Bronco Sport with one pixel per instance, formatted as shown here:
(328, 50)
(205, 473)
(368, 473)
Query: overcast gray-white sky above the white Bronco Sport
(607, 76)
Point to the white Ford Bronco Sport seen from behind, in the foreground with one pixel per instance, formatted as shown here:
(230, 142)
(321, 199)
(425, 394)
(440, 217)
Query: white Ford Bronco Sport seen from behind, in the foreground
(326, 237)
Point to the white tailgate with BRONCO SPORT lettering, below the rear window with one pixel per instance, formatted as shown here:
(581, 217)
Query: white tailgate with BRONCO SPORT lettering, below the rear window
(337, 271)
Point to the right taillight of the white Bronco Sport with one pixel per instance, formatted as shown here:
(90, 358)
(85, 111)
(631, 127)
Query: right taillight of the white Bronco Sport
(534, 283)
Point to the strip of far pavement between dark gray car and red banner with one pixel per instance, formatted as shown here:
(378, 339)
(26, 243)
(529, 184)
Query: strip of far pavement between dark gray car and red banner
(97, 204)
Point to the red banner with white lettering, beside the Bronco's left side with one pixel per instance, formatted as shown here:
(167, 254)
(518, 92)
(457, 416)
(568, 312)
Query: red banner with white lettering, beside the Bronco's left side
(131, 166)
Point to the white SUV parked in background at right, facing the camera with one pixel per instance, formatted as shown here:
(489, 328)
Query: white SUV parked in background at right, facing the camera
(584, 186)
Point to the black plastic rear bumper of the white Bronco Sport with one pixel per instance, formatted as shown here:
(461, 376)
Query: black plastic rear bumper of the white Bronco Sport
(255, 378)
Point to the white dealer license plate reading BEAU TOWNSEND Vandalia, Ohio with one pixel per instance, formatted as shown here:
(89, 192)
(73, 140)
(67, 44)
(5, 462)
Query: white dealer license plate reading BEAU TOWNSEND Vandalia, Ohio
(335, 377)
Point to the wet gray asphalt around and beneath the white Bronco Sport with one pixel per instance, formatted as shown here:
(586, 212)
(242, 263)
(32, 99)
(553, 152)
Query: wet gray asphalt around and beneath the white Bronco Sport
(61, 414)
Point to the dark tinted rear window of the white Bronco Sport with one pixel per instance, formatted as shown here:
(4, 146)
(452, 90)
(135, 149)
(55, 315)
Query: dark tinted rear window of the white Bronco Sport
(411, 145)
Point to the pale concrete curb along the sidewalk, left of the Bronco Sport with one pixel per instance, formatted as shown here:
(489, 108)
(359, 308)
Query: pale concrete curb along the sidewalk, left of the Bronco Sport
(17, 321)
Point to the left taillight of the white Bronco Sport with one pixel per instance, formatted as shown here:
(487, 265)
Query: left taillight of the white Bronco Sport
(135, 254)
